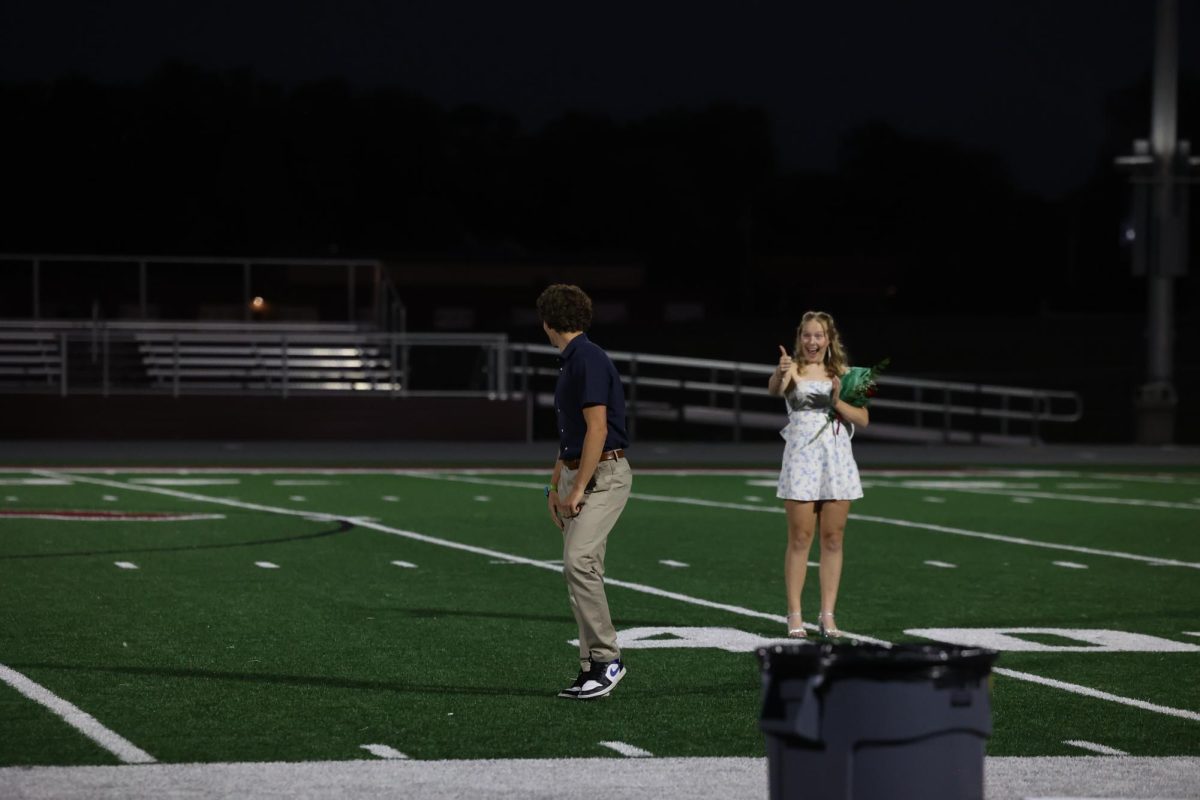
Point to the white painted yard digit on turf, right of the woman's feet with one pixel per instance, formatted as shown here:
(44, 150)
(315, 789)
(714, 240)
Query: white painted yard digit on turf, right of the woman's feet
(1091, 641)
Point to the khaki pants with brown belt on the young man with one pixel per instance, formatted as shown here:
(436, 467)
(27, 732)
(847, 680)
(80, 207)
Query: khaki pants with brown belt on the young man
(585, 540)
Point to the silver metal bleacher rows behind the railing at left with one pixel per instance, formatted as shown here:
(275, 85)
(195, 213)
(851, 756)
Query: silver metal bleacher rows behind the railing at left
(266, 359)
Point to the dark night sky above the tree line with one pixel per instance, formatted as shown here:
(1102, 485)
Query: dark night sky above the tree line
(1023, 80)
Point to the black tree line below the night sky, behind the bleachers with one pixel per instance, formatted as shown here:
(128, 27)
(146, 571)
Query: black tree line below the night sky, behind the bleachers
(195, 163)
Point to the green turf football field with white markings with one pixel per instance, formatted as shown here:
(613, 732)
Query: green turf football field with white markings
(224, 616)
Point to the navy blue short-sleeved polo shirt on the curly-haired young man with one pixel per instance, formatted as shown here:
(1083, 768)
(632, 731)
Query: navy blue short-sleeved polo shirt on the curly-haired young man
(587, 377)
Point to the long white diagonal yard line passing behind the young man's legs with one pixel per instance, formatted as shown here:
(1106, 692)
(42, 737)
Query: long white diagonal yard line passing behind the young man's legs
(650, 591)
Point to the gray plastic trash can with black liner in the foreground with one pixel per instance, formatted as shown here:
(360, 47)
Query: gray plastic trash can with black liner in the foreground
(869, 721)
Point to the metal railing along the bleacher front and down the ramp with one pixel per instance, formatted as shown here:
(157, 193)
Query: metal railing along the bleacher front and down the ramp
(667, 395)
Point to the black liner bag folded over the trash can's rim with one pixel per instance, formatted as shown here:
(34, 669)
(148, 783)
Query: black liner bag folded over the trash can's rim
(877, 661)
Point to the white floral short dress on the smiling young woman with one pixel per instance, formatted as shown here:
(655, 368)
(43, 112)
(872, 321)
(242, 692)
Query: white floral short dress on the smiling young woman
(817, 466)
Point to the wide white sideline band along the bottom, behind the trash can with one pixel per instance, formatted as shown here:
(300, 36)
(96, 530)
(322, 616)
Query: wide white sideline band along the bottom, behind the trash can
(1054, 778)
